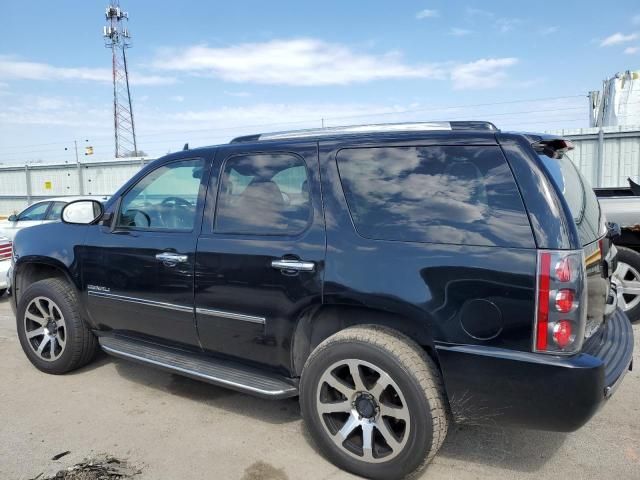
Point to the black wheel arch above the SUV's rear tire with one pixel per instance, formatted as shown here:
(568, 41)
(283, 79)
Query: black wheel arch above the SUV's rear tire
(316, 325)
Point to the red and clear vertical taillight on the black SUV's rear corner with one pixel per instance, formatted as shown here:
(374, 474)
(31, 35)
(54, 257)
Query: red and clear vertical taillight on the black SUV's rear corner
(561, 302)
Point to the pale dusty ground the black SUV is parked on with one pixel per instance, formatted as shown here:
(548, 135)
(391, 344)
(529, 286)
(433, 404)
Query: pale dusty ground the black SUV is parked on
(171, 427)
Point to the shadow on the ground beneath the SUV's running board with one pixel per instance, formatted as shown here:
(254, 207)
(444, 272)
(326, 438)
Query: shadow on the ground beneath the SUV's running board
(271, 411)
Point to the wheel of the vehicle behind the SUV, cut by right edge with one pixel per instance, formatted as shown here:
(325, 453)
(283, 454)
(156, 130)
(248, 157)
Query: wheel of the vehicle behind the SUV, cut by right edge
(627, 280)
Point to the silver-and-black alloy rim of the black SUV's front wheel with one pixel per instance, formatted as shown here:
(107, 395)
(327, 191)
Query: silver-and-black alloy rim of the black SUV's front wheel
(45, 328)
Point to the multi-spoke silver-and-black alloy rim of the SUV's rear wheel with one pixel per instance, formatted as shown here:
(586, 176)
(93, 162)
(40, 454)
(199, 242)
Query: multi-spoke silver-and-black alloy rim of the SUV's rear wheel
(363, 410)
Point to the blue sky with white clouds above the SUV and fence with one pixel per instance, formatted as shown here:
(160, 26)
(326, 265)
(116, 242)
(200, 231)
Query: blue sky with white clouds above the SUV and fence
(204, 72)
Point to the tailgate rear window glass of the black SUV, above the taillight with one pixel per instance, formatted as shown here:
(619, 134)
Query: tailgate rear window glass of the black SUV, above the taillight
(579, 195)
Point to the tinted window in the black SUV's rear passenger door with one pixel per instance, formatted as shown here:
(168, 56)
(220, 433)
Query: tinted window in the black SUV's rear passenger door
(263, 195)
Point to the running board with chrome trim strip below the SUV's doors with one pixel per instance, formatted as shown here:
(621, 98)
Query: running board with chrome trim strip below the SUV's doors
(220, 372)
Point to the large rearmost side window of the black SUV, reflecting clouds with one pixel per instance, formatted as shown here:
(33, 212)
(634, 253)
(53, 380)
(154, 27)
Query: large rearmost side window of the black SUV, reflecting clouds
(437, 194)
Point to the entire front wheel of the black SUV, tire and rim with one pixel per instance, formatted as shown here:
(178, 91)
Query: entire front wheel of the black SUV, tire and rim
(51, 330)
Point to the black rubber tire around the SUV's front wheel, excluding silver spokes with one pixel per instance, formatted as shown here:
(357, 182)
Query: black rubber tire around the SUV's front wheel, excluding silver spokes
(80, 344)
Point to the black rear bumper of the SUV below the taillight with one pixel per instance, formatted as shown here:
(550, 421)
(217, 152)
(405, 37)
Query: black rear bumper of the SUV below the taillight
(494, 386)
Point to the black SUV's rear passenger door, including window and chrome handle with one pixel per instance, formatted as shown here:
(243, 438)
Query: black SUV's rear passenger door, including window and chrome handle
(261, 253)
